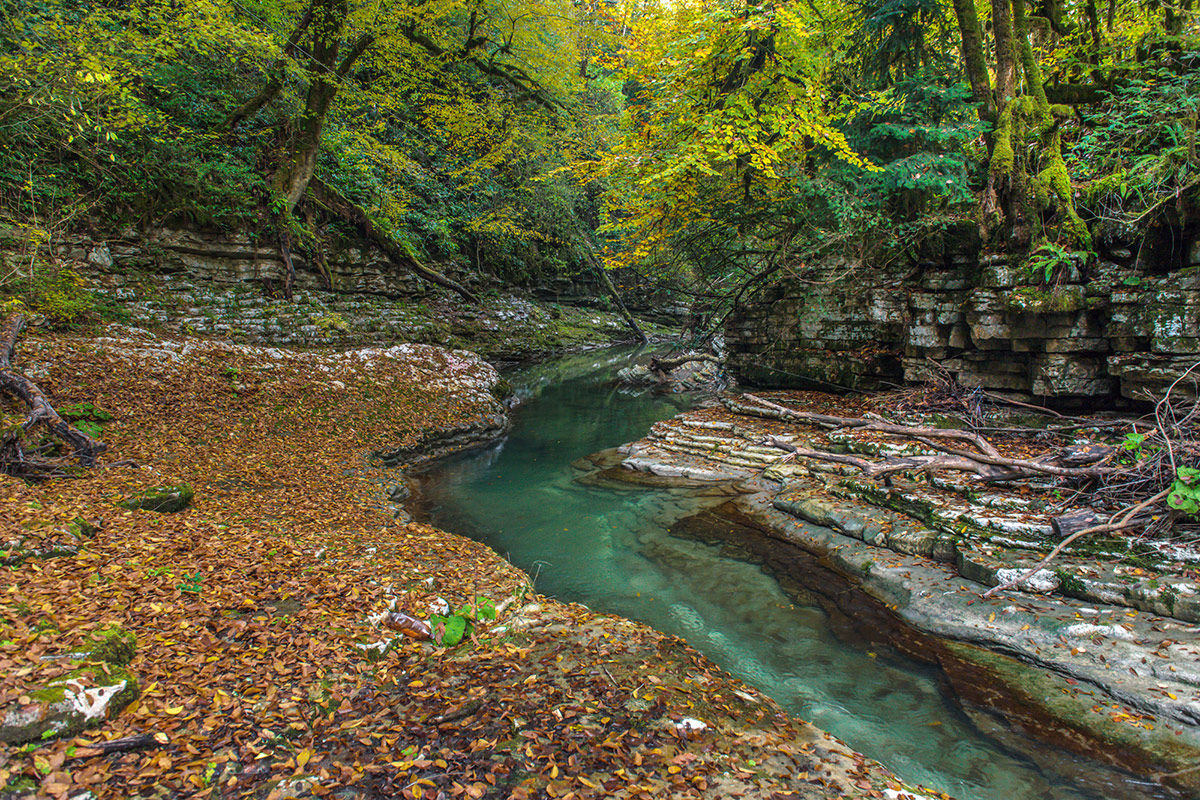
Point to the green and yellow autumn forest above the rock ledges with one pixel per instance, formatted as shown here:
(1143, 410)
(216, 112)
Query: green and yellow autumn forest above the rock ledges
(698, 147)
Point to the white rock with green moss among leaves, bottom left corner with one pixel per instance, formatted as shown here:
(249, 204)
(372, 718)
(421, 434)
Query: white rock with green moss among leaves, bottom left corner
(69, 705)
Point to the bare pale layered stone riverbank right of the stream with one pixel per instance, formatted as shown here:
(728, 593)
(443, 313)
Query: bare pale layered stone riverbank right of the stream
(1113, 681)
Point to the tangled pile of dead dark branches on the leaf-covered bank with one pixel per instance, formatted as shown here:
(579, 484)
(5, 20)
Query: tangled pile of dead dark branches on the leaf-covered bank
(21, 453)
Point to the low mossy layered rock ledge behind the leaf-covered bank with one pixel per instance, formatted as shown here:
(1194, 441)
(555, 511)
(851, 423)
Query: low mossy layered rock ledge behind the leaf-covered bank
(231, 286)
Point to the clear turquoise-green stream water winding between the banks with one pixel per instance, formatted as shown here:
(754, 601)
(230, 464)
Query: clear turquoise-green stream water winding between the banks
(610, 550)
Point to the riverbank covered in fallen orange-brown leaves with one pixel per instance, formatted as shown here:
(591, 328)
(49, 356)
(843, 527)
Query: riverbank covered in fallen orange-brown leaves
(260, 664)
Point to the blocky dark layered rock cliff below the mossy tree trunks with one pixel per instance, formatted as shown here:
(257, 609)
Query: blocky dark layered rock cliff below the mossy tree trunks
(1121, 329)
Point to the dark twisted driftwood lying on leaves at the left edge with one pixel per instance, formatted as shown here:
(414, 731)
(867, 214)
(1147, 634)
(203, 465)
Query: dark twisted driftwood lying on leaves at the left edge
(14, 459)
